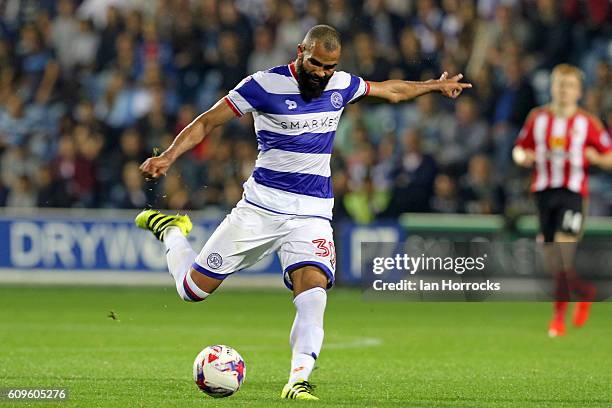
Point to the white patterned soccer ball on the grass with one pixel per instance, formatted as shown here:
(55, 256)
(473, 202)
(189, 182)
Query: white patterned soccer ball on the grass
(219, 371)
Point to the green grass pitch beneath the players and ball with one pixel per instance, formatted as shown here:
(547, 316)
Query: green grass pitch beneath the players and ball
(376, 354)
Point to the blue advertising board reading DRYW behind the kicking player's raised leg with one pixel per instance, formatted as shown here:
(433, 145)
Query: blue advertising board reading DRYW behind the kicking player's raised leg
(57, 241)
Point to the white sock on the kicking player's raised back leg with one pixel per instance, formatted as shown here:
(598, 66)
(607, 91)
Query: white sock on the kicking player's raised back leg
(180, 257)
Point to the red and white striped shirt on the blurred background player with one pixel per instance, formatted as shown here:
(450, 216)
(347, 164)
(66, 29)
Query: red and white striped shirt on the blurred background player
(559, 144)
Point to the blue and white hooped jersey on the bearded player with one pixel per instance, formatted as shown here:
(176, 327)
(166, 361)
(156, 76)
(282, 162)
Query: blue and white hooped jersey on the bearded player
(295, 138)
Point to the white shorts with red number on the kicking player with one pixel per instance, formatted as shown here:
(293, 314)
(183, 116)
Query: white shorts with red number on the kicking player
(249, 233)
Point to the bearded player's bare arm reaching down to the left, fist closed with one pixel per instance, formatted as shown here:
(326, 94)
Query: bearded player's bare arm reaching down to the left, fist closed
(189, 137)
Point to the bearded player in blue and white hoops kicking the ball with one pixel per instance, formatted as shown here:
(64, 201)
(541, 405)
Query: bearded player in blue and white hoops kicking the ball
(287, 202)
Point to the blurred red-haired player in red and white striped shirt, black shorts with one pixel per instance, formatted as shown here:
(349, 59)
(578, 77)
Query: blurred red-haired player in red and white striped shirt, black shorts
(560, 141)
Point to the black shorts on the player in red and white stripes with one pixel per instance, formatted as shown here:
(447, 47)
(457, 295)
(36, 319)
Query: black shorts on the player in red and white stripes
(560, 210)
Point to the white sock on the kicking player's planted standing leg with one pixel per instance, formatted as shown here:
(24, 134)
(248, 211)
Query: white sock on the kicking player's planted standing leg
(307, 332)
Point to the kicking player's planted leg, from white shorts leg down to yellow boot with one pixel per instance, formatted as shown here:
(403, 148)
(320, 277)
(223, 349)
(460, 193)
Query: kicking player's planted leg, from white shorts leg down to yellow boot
(308, 260)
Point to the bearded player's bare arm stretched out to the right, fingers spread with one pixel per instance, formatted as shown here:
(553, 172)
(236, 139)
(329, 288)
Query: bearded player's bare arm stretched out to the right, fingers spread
(396, 90)
